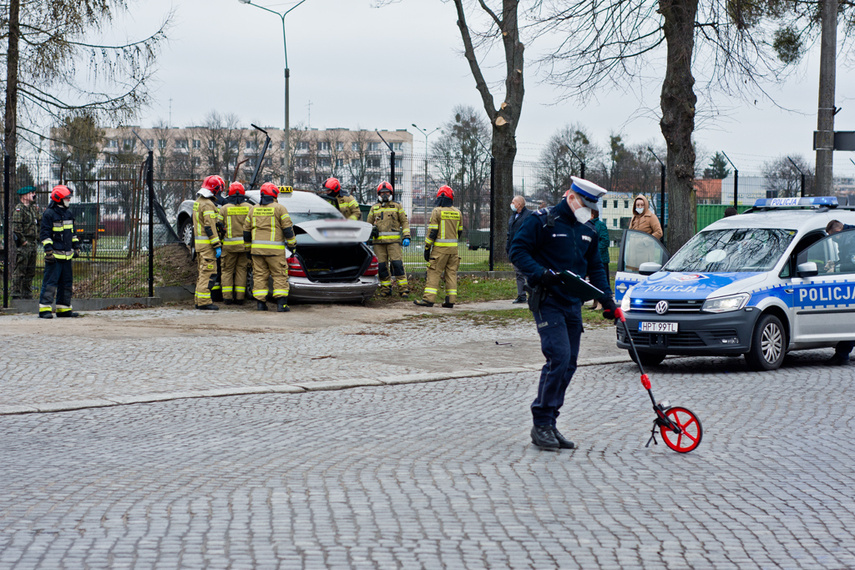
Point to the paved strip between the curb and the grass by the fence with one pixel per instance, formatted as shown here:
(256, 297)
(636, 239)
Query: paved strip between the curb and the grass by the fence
(121, 357)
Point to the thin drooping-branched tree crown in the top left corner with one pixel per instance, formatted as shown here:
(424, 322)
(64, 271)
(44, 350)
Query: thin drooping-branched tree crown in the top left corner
(50, 38)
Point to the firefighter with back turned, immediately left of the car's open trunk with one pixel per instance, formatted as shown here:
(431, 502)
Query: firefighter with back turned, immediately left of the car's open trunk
(268, 229)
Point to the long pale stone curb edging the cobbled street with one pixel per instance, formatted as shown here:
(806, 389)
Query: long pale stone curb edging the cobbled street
(324, 385)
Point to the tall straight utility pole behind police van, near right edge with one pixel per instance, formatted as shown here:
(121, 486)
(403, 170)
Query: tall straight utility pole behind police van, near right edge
(824, 142)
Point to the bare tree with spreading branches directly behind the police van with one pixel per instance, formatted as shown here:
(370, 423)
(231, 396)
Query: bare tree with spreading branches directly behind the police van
(737, 42)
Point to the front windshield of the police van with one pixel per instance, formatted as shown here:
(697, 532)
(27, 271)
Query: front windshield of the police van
(732, 251)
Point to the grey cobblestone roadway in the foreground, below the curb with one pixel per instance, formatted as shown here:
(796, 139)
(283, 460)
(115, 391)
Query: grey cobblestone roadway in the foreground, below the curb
(442, 475)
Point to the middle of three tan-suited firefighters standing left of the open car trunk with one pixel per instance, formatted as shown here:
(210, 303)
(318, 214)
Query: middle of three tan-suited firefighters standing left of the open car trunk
(234, 260)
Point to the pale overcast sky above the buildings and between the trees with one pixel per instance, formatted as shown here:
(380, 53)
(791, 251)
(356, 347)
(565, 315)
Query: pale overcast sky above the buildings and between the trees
(353, 65)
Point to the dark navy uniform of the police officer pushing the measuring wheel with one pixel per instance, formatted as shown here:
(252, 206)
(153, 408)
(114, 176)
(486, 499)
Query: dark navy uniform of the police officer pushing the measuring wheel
(554, 239)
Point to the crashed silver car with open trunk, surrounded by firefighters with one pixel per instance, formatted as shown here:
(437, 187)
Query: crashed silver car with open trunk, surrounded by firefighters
(333, 262)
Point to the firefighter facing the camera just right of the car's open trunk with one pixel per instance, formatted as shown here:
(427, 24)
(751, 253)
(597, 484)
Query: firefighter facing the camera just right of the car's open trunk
(391, 230)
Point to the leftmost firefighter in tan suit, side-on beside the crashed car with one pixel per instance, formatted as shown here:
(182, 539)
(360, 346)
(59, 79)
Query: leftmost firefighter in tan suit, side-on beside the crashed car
(209, 248)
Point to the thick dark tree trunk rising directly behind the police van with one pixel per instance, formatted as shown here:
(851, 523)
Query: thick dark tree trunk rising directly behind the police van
(678, 119)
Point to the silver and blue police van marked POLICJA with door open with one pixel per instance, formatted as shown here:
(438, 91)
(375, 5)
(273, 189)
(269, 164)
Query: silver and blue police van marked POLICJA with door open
(759, 284)
